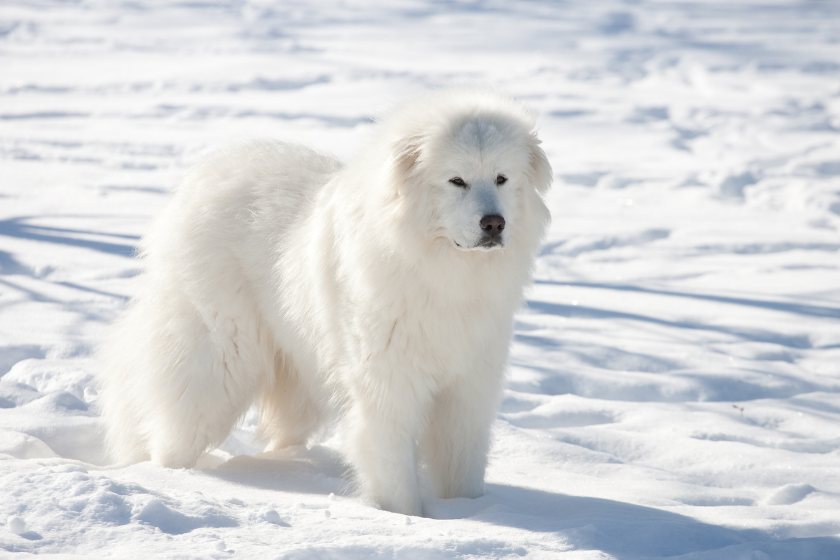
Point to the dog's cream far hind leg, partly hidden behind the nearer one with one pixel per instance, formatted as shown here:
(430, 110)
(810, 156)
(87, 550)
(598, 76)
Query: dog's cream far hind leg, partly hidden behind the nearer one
(288, 413)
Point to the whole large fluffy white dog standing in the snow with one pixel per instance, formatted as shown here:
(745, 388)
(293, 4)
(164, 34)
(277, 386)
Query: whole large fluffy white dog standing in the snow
(380, 292)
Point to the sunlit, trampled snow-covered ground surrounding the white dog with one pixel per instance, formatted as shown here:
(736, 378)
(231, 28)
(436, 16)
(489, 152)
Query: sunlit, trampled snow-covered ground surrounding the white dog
(675, 376)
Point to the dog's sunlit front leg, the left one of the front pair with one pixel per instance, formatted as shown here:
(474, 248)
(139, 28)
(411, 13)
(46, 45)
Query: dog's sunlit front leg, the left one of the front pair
(384, 421)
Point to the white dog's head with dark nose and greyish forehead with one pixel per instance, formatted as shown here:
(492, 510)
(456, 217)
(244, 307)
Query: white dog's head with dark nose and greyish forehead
(468, 165)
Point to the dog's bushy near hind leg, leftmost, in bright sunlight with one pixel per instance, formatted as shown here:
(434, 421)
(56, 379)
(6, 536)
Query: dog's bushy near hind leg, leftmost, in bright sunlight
(187, 372)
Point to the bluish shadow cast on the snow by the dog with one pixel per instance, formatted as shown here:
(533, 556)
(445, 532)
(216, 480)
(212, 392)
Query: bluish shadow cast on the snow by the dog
(617, 528)
